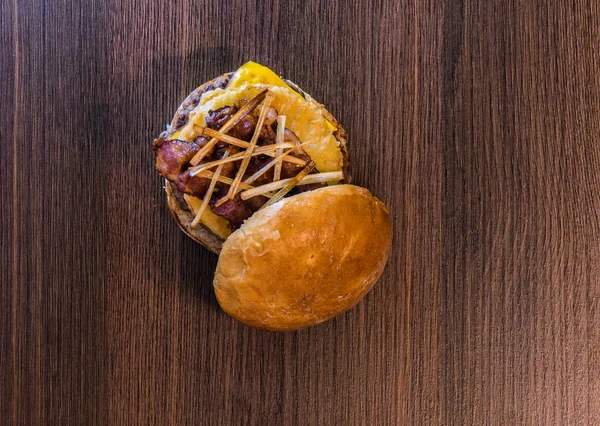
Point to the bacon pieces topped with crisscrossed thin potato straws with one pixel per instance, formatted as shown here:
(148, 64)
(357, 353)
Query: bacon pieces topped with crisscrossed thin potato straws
(243, 160)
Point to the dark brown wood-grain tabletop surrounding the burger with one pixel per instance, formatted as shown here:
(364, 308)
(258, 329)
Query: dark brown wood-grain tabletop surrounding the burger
(476, 121)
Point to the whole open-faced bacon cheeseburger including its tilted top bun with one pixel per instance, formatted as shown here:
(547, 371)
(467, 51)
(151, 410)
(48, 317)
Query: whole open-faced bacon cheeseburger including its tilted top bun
(257, 171)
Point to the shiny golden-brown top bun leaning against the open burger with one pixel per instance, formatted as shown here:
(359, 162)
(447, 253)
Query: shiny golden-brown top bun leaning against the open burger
(304, 259)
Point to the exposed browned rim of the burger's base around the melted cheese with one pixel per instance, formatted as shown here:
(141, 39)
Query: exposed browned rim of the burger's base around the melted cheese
(178, 208)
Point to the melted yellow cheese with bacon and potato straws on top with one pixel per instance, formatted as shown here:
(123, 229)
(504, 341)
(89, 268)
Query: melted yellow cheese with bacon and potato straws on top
(245, 146)
